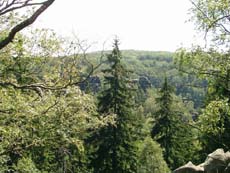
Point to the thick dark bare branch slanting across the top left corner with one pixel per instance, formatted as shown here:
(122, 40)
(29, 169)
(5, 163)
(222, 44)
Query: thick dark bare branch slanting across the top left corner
(9, 6)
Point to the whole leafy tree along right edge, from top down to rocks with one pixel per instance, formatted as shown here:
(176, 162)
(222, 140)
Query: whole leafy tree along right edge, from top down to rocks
(212, 64)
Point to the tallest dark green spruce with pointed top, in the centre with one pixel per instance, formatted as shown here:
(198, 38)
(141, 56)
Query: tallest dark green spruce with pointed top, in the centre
(116, 150)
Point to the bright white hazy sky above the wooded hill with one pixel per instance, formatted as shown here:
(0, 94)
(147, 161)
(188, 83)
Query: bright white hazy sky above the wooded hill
(139, 24)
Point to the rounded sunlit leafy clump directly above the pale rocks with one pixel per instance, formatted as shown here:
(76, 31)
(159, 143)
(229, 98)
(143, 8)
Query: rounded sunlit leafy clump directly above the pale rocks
(214, 124)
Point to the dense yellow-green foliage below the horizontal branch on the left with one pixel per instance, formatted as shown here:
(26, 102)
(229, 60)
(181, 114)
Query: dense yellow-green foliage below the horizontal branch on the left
(51, 130)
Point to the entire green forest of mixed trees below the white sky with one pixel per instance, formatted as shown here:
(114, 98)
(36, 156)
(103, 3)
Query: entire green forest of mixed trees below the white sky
(66, 110)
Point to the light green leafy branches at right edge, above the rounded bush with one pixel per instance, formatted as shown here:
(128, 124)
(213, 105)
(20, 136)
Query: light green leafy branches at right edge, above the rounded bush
(210, 62)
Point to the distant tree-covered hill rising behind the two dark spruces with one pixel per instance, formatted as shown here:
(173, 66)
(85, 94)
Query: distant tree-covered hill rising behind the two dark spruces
(151, 67)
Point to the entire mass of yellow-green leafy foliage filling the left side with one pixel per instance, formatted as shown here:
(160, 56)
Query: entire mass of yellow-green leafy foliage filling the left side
(44, 116)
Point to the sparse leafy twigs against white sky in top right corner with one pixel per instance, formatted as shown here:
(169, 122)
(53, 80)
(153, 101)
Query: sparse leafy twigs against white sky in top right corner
(212, 17)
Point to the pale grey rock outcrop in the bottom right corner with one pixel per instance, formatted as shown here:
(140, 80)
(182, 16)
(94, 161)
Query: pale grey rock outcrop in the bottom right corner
(216, 162)
